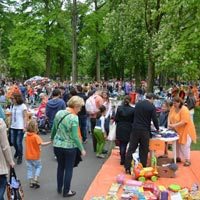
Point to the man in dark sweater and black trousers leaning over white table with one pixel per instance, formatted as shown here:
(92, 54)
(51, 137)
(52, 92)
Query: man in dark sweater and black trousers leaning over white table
(145, 111)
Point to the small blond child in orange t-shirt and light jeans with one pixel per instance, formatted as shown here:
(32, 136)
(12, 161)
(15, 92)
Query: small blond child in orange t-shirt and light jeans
(33, 143)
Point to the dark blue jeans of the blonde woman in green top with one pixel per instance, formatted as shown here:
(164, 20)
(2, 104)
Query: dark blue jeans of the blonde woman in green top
(66, 160)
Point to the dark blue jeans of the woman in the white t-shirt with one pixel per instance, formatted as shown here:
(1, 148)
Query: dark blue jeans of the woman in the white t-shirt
(16, 139)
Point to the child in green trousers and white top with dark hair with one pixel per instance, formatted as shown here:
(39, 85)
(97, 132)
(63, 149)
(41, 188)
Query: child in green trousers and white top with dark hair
(100, 133)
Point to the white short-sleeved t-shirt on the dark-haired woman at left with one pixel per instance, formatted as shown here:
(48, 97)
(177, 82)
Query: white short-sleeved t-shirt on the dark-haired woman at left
(17, 121)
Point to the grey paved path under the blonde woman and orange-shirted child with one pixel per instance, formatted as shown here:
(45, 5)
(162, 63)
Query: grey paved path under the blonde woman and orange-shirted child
(83, 175)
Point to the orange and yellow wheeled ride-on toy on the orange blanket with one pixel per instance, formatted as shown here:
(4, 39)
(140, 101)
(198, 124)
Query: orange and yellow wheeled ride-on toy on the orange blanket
(143, 173)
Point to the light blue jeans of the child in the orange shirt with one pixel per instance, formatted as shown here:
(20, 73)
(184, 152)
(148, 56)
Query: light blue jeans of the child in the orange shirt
(33, 168)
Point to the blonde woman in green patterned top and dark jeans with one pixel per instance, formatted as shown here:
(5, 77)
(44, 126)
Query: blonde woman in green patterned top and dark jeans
(66, 143)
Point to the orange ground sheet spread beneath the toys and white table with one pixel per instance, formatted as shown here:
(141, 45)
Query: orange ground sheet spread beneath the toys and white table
(186, 178)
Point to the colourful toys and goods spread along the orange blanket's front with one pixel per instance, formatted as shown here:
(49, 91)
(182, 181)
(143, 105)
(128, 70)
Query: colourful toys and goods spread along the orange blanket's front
(137, 190)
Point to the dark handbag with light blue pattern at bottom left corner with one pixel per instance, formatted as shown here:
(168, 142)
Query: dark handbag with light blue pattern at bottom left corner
(14, 187)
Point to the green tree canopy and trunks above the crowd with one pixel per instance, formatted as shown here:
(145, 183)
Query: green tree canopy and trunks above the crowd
(124, 39)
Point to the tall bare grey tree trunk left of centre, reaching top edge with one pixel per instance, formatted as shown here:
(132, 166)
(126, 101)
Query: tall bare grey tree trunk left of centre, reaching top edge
(74, 43)
